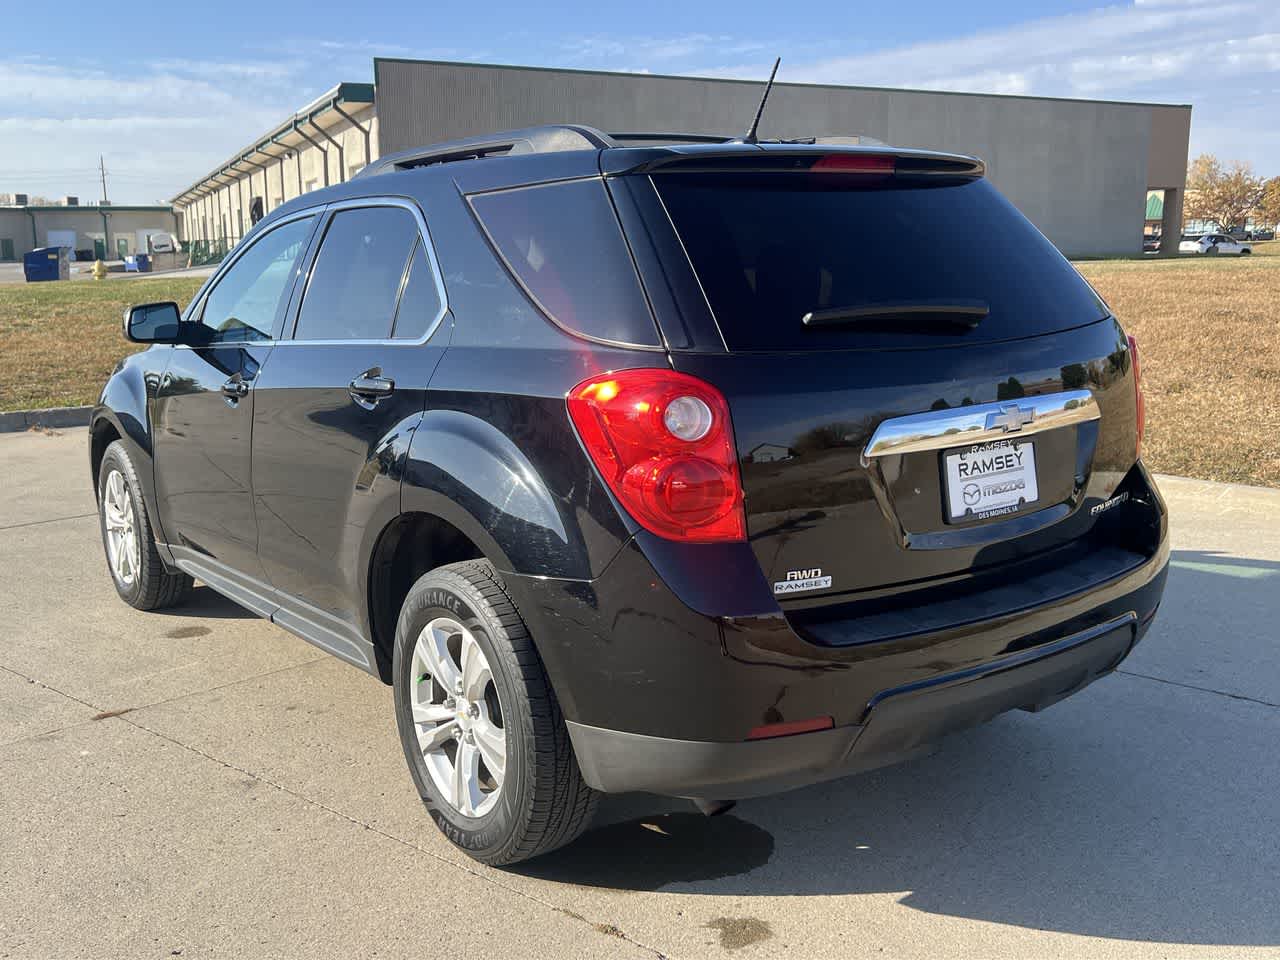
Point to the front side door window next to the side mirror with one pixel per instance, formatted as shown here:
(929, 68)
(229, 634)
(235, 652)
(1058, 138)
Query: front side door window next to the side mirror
(250, 296)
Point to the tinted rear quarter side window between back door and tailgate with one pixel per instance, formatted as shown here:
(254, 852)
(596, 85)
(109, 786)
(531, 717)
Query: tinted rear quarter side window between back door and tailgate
(564, 244)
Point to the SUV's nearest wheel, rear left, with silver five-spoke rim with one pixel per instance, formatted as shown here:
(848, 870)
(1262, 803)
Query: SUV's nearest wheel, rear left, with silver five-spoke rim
(482, 730)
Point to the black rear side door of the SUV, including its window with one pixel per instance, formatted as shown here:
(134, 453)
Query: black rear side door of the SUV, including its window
(335, 408)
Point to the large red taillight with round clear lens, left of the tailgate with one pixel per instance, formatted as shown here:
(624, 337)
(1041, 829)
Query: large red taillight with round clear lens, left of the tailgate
(664, 444)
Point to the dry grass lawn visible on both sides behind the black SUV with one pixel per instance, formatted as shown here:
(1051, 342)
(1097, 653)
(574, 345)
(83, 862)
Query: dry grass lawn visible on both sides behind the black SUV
(1209, 331)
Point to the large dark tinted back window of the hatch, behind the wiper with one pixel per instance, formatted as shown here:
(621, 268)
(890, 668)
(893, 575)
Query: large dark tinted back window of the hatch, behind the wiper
(770, 249)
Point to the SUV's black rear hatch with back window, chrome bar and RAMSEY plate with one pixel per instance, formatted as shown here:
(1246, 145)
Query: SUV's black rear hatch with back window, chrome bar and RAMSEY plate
(922, 388)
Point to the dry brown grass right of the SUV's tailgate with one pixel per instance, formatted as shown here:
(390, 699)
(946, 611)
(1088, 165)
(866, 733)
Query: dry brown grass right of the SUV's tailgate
(1209, 336)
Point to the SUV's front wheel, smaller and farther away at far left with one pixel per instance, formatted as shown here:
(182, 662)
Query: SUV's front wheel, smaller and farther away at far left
(140, 575)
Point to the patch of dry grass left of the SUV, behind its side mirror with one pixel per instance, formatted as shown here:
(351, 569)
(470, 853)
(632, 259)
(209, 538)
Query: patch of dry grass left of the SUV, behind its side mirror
(61, 341)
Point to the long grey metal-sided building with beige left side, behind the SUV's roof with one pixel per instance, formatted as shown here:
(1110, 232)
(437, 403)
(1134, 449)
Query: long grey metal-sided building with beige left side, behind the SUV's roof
(1081, 170)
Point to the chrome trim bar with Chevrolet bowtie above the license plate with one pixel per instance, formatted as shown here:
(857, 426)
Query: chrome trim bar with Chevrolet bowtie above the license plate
(981, 423)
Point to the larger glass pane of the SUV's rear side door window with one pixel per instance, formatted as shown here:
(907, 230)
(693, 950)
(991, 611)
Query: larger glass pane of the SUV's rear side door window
(358, 275)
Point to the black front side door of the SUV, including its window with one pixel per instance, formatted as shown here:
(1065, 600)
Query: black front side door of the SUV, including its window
(204, 408)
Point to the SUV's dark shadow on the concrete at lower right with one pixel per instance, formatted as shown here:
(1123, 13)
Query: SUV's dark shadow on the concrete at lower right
(1141, 810)
